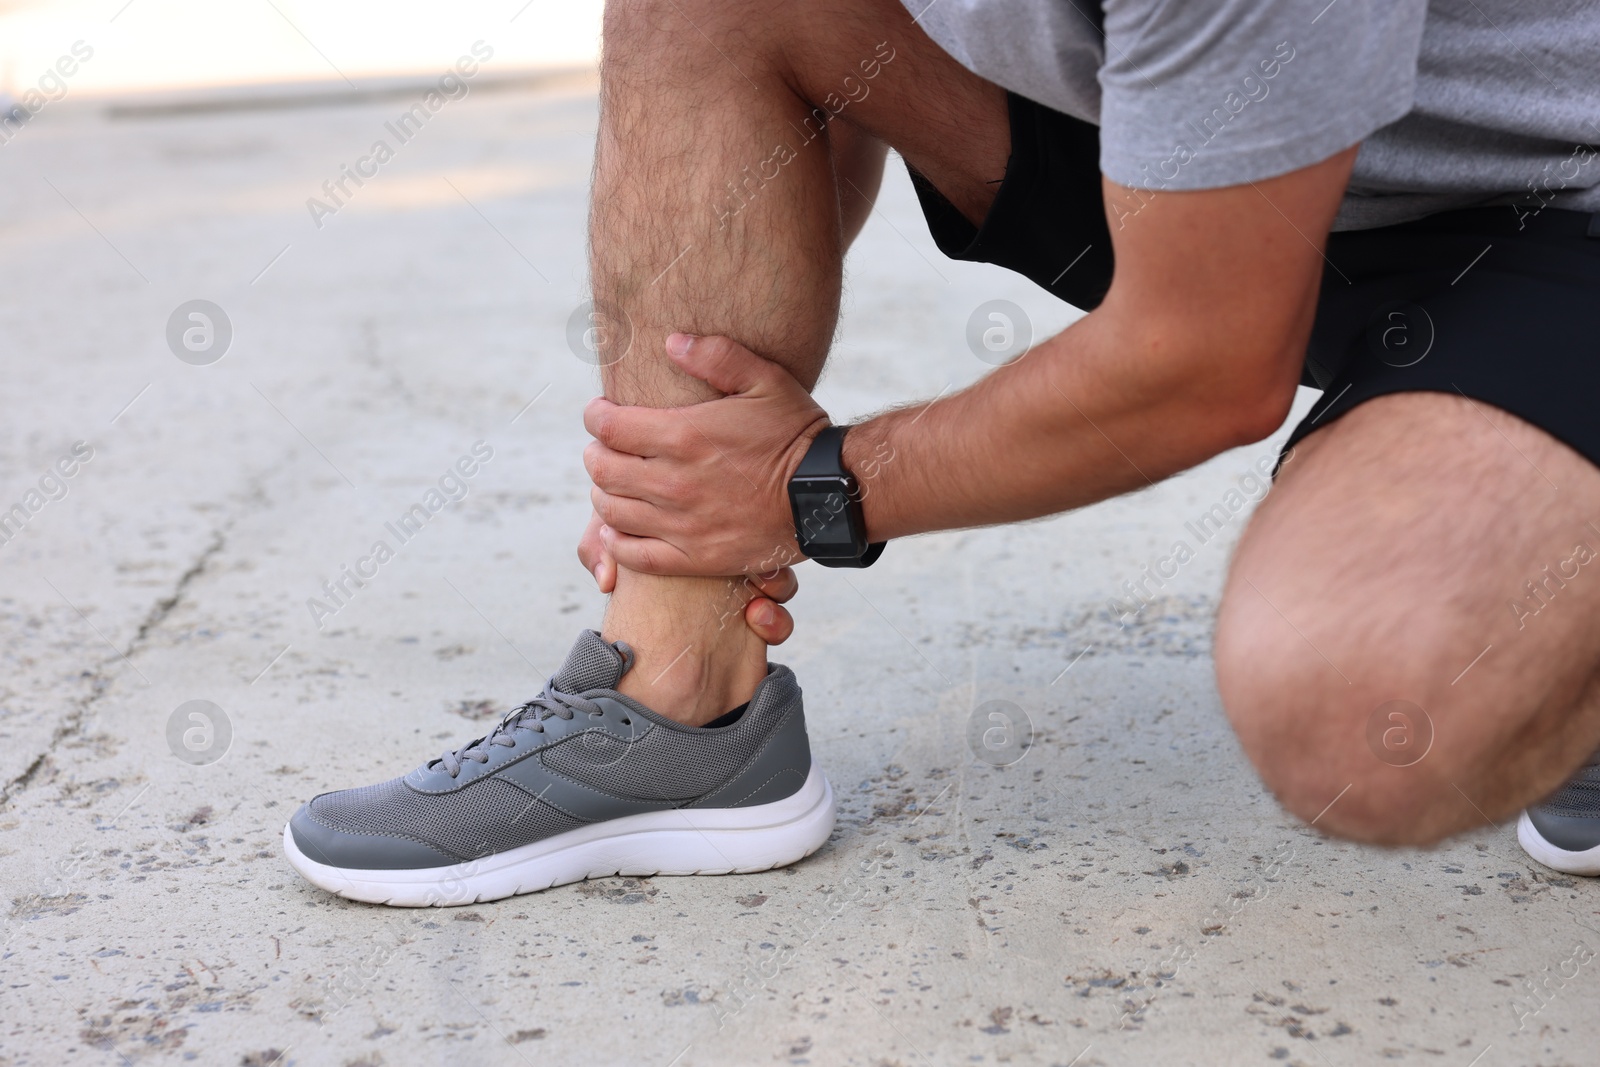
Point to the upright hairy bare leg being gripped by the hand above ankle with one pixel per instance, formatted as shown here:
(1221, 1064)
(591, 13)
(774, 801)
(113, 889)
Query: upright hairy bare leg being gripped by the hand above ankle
(718, 210)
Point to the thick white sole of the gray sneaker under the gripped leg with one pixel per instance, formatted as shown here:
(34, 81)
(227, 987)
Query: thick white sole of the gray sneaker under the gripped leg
(679, 842)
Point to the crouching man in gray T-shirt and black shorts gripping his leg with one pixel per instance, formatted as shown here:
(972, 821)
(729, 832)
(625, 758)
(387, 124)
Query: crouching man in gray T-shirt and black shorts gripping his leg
(1390, 201)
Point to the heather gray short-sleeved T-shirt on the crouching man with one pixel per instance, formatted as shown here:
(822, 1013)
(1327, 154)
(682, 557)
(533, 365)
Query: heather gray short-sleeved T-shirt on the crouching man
(1457, 103)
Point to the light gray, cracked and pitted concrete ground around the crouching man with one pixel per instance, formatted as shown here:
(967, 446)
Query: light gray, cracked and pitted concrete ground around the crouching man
(1124, 893)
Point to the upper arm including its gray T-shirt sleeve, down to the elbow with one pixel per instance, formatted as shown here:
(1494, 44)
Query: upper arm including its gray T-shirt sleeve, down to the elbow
(1241, 118)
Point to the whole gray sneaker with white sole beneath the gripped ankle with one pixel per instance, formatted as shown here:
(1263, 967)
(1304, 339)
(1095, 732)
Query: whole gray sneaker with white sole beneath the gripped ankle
(578, 783)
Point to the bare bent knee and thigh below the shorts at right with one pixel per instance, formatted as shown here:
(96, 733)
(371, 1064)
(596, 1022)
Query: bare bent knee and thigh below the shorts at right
(1430, 549)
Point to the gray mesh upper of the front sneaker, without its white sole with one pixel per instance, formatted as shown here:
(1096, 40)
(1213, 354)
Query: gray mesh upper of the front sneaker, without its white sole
(577, 756)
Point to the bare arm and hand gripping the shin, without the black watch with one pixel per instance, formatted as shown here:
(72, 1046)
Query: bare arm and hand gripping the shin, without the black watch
(1196, 350)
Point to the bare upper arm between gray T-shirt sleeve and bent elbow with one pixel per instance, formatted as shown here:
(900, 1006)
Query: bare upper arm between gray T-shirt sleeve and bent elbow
(1220, 286)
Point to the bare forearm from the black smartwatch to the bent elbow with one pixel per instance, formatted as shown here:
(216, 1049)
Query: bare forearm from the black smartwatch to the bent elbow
(1106, 407)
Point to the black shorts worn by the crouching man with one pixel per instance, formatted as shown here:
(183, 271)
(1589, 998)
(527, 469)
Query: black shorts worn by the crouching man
(1497, 305)
